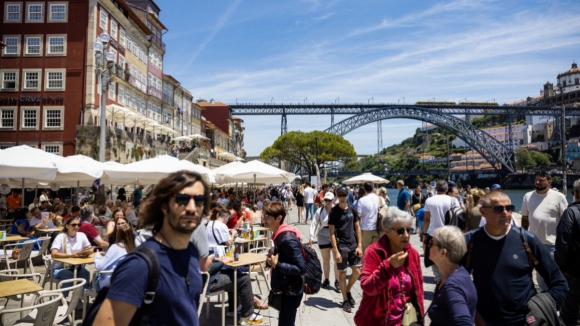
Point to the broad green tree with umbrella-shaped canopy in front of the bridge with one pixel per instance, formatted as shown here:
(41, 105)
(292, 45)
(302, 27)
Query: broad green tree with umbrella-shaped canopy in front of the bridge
(307, 149)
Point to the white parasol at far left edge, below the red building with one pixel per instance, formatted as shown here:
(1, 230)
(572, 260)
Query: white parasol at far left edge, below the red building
(27, 162)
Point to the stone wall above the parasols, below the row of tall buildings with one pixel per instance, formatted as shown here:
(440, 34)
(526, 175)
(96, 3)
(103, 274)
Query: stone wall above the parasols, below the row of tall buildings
(122, 146)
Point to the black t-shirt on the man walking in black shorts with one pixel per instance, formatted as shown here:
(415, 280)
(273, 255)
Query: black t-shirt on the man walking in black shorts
(343, 221)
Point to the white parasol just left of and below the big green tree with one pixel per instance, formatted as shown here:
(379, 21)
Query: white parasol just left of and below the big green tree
(255, 172)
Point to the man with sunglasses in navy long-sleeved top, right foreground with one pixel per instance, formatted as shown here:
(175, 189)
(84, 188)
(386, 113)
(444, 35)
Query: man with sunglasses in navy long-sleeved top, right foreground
(501, 268)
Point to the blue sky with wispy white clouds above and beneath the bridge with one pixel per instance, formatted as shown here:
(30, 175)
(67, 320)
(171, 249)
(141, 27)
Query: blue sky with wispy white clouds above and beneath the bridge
(351, 51)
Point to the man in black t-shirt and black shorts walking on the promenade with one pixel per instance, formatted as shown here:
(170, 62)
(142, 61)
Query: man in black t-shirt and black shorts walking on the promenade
(344, 224)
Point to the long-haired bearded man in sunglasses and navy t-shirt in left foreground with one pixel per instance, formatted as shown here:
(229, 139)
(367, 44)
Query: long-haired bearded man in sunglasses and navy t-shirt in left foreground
(174, 211)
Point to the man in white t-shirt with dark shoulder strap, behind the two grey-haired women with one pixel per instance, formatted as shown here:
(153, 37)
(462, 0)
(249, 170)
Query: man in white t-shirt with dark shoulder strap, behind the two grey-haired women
(435, 209)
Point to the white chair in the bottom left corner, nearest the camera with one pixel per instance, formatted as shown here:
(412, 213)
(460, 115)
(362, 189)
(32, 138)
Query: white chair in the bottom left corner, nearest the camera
(45, 306)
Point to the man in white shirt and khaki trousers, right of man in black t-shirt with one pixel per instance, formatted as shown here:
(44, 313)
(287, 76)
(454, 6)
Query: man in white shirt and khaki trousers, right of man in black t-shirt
(368, 208)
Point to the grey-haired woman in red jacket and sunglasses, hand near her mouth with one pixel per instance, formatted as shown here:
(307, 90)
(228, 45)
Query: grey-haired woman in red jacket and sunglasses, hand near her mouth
(391, 275)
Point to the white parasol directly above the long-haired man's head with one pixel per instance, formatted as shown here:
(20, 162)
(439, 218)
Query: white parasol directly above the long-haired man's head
(151, 171)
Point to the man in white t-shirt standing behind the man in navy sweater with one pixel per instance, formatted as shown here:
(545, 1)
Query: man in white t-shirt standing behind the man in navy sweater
(541, 212)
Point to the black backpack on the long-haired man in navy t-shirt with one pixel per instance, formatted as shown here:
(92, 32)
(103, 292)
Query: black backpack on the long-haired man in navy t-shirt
(141, 316)
